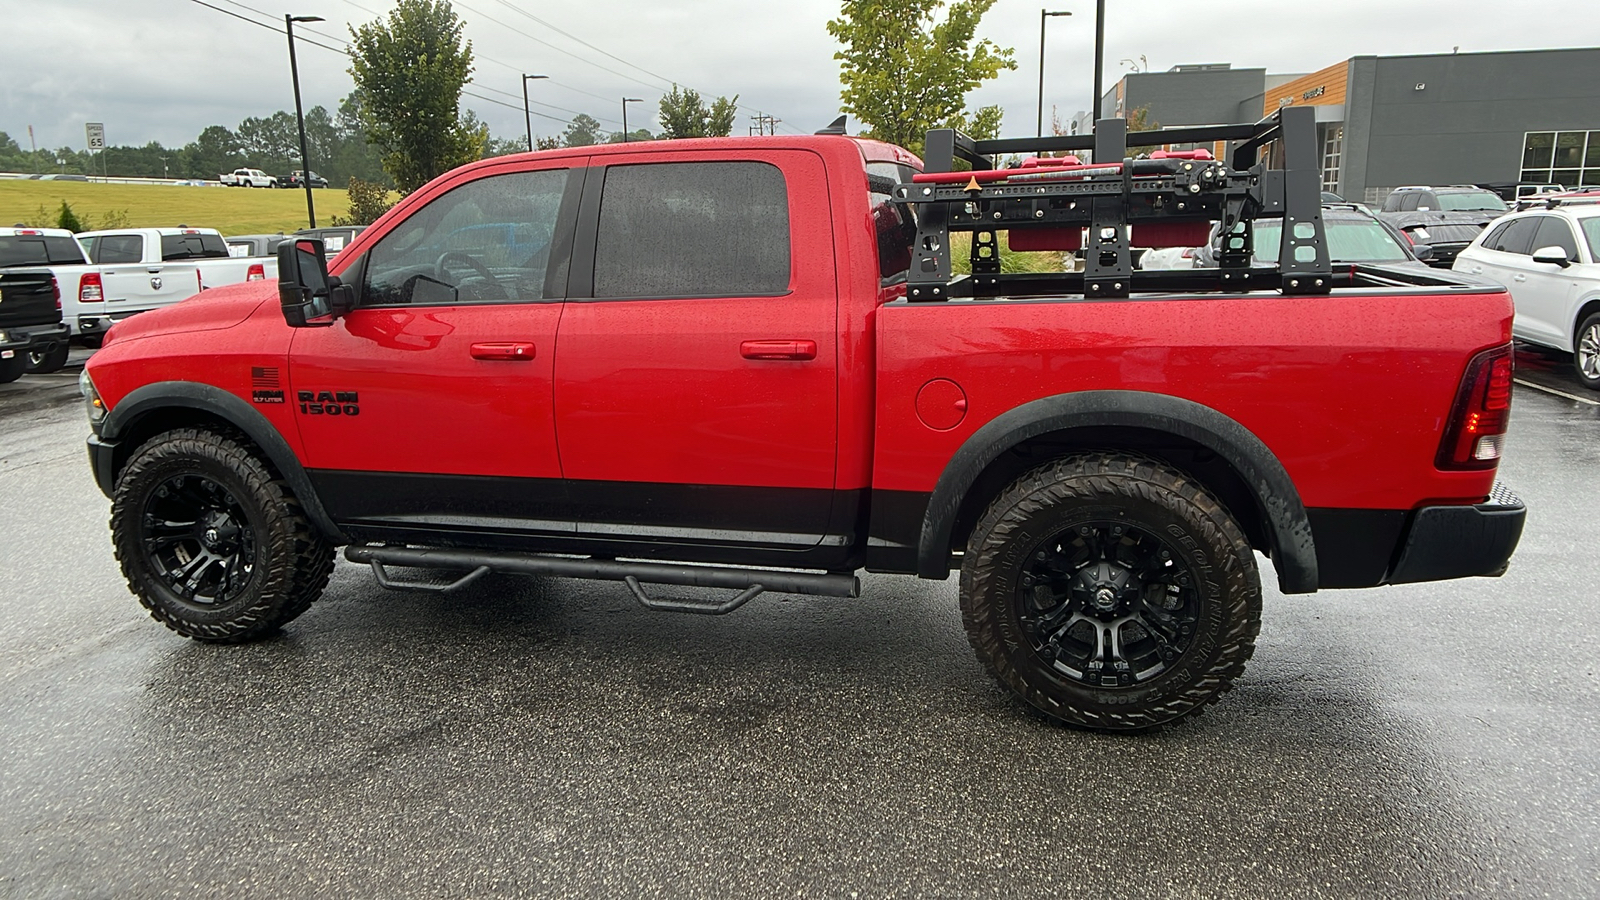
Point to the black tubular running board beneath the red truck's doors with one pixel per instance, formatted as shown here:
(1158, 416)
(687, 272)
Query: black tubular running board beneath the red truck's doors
(750, 582)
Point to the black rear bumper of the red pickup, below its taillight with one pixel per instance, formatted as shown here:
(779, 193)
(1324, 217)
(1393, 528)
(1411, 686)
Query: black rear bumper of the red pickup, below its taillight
(1460, 542)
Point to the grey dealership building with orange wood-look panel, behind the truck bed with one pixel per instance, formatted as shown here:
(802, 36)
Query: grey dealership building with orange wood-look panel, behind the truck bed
(1390, 121)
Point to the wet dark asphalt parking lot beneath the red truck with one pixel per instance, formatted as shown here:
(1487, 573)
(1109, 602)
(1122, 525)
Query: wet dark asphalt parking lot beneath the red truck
(537, 737)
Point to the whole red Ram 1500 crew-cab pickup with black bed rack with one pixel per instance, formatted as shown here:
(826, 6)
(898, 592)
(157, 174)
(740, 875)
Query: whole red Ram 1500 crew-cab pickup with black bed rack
(748, 364)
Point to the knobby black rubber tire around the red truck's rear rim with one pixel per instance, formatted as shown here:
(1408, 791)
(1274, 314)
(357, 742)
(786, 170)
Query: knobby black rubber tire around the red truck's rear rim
(1140, 494)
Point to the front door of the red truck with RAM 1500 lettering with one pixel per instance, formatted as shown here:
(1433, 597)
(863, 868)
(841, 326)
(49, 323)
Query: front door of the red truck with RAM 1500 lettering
(428, 408)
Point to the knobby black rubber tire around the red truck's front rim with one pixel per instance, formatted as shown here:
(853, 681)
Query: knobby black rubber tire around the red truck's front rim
(290, 563)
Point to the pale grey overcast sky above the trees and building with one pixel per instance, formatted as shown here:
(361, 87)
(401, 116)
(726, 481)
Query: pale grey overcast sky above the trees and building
(166, 70)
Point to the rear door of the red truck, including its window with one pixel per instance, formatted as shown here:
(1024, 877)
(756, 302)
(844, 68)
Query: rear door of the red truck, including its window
(695, 369)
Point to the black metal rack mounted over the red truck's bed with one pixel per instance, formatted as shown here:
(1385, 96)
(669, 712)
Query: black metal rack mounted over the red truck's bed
(1114, 193)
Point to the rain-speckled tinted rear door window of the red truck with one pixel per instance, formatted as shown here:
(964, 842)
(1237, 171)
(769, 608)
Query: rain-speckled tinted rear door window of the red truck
(694, 230)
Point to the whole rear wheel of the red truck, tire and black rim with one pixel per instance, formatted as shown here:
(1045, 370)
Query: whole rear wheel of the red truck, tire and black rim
(1111, 592)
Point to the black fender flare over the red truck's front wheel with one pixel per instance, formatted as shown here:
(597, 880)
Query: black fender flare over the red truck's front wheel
(239, 414)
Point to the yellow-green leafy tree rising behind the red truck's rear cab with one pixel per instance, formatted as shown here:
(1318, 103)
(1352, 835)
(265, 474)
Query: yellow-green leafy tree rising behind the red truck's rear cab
(906, 73)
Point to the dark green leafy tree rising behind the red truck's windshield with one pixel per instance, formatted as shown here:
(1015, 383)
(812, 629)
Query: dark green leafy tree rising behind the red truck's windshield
(410, 71)
